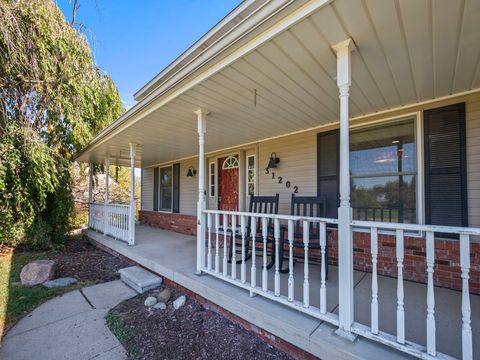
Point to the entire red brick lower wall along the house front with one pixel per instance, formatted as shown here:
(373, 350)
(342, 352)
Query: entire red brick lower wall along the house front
(447, 253)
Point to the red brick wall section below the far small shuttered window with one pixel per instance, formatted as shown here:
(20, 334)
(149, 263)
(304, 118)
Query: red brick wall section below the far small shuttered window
(184, 224)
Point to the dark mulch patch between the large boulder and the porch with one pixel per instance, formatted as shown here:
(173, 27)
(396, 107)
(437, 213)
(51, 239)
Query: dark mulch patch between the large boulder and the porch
(83, 261)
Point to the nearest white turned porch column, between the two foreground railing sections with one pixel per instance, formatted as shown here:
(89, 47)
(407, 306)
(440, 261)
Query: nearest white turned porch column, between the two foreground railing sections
(345, 241)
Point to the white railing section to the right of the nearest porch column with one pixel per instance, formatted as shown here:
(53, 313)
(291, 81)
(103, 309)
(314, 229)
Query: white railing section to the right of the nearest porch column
(400, 340)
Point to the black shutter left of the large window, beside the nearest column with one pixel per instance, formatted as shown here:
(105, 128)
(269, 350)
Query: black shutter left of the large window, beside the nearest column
(328, 165)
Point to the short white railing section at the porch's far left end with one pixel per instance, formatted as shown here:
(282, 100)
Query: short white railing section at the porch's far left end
(110, 219)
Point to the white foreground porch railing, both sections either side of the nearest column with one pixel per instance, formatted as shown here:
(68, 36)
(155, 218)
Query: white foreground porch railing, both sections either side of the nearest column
(262, 227)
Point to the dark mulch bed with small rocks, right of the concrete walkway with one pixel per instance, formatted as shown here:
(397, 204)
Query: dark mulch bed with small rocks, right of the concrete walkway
(191, 332)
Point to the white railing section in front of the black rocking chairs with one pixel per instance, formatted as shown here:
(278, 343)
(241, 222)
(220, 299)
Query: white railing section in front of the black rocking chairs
(265, 229)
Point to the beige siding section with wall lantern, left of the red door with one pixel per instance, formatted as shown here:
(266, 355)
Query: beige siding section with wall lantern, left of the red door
(188, 188)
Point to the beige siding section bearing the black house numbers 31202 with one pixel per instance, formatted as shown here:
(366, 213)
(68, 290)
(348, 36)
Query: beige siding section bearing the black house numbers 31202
(298, 164)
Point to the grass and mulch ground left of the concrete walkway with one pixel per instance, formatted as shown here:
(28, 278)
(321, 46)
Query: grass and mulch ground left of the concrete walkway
(79, 259)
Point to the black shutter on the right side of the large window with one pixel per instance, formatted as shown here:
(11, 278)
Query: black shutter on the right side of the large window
(445, 166)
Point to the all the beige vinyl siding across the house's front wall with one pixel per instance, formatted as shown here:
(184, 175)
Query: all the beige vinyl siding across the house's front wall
(298, 155)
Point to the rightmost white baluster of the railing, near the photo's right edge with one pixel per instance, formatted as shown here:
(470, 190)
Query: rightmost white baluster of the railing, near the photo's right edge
(467, 346)
